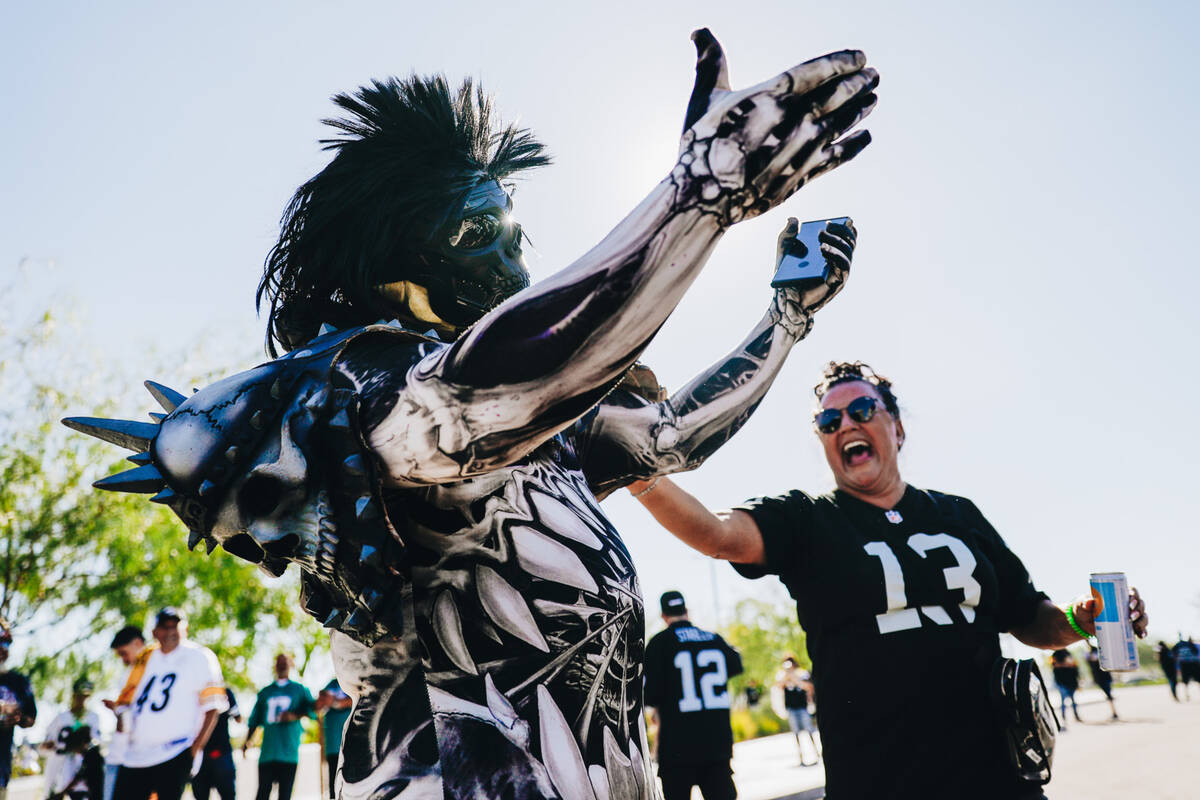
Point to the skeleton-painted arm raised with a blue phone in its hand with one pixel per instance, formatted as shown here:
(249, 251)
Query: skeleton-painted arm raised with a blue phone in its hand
(627, 442)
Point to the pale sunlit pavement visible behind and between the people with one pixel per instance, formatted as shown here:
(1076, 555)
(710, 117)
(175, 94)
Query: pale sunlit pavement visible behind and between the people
(1151, 753)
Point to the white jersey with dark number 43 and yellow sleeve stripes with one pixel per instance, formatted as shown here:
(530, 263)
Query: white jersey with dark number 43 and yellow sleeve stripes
(170, 702)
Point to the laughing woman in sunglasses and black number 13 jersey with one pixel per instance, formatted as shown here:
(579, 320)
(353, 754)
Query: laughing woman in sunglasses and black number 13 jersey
(903, 594)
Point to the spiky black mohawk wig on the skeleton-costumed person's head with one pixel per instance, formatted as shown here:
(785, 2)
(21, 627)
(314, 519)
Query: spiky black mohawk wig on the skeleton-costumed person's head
(406, 152)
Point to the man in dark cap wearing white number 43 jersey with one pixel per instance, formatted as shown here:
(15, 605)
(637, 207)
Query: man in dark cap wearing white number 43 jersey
(173, 697)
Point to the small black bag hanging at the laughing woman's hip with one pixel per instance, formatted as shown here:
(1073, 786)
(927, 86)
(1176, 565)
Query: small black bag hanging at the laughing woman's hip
(1027, 717)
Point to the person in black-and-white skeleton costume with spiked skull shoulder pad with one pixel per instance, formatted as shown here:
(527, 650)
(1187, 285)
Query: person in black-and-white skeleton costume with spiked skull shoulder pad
(436, 477)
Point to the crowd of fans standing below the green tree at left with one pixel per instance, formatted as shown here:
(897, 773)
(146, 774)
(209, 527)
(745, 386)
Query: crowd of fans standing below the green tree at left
(171, 721)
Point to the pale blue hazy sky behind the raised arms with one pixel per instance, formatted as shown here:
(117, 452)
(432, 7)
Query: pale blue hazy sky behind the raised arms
(1023, 272)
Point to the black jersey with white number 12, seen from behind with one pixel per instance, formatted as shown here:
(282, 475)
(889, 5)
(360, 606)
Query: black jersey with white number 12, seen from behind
(687, 671)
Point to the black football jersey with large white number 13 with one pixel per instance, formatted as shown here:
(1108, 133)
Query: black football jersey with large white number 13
(902, 610)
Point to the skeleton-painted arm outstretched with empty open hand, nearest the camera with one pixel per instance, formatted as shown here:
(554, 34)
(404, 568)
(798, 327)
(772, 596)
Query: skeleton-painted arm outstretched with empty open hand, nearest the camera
(543, 359)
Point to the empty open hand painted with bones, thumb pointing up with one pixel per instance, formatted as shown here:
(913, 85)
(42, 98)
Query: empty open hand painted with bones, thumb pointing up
(746, 152)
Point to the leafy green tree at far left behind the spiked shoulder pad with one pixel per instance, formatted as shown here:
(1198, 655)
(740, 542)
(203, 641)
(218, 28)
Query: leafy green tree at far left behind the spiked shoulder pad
(76, 563)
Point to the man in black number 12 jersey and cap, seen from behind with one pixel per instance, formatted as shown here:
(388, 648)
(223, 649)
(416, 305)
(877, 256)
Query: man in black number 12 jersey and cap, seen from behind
(687, 671)
